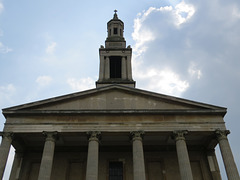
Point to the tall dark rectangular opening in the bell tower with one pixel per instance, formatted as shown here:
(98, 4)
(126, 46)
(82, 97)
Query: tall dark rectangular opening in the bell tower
(115, 66)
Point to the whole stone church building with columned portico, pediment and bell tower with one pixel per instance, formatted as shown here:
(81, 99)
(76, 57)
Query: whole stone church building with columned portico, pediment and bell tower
(116, 131)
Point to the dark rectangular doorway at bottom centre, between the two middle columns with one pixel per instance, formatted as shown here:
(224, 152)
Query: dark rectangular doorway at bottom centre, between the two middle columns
(115, 170)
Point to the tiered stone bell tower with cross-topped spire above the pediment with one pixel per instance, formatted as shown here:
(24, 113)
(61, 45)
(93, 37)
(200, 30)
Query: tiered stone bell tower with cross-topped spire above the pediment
(115, 57)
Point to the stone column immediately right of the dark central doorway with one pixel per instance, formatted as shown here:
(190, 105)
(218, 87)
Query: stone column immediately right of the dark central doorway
(138, 156)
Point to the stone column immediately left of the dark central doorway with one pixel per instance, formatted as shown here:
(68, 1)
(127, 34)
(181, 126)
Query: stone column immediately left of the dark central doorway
(92, 159)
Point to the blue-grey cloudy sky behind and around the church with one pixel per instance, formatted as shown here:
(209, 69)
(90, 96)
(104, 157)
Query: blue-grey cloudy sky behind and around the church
(188, 49)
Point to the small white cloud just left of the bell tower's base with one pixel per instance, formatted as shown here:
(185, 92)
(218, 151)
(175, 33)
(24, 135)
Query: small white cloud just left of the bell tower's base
(81, 84)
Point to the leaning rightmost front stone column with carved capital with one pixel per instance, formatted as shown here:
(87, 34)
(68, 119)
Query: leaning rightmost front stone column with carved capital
(229, 163)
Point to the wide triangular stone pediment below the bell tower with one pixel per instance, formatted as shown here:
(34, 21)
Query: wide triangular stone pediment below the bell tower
(114, 97)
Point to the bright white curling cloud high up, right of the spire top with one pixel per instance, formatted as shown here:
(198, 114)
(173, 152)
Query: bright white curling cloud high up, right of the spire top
(143, 33)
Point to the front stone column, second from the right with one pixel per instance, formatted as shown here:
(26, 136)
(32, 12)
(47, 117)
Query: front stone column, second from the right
(182, 153)
